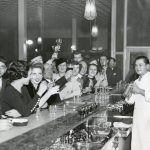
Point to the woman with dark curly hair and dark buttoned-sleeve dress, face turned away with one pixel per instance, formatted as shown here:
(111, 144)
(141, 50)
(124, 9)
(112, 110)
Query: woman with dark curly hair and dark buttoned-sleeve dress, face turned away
(16, 95)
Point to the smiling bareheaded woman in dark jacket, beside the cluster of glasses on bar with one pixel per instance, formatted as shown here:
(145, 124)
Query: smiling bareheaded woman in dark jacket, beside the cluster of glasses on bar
(89, 80)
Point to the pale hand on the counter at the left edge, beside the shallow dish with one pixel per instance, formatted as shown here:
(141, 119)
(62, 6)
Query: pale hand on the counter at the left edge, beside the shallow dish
(5, 124)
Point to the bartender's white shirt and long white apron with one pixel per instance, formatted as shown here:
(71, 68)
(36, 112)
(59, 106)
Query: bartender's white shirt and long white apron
(141, 116)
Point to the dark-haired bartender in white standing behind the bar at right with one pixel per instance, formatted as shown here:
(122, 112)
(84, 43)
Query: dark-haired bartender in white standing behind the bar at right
(140, 96)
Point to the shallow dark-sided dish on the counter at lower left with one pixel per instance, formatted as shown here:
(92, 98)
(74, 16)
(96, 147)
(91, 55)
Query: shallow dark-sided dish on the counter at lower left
(19, 122)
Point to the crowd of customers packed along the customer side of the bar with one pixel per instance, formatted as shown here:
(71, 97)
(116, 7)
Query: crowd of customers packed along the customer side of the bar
(28, 85)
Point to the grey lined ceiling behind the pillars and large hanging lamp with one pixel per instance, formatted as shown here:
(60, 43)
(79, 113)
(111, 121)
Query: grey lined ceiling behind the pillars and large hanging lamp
(53, 14)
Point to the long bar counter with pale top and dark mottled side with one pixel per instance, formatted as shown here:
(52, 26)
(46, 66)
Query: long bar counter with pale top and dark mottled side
(43, 130)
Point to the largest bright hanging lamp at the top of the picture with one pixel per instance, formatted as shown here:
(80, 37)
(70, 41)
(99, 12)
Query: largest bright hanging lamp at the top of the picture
(90, 10)
